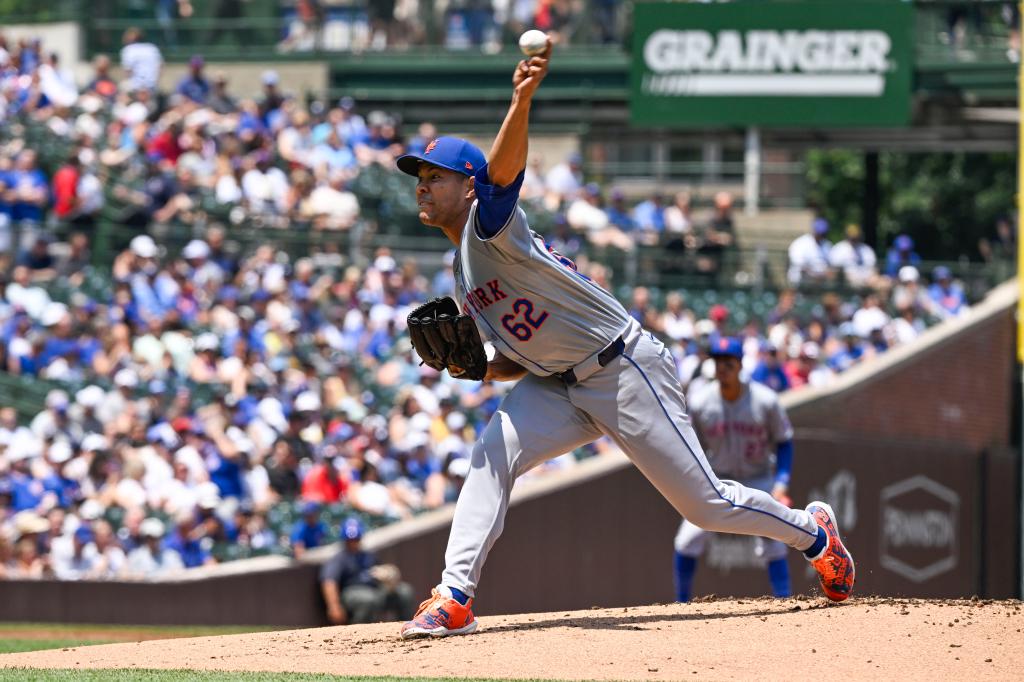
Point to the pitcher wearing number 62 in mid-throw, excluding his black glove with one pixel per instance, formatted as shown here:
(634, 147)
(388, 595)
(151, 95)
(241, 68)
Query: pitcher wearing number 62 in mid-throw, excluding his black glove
(585, 369)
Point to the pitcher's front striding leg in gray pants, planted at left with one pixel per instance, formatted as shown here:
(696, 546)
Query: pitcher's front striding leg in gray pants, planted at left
(535, 422)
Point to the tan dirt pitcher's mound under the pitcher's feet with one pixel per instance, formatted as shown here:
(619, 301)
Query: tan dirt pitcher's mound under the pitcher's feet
(909, 640)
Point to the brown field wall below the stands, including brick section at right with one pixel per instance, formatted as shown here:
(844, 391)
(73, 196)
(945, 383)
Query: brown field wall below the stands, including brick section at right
(915, 462)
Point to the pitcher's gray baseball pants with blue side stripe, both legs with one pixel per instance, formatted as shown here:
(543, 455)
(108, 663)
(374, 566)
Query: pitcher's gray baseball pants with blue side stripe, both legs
(637, 402)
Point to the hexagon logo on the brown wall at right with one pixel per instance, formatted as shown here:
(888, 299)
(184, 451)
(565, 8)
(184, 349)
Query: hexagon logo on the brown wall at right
(919, 529)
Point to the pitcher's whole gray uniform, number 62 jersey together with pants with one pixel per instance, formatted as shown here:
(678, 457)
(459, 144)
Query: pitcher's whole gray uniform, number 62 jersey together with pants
(544, 315)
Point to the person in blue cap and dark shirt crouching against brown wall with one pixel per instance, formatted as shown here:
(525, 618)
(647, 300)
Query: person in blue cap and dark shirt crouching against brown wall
(358, 589)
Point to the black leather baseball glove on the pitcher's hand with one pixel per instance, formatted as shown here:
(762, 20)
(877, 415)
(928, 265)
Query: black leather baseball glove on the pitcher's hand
(447, 339)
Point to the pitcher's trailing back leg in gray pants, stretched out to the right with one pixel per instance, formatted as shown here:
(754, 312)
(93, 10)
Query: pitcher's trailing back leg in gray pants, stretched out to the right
(638, 402)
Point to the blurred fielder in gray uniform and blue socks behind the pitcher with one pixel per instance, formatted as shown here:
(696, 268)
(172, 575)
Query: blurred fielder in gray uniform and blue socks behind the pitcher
(749, 440)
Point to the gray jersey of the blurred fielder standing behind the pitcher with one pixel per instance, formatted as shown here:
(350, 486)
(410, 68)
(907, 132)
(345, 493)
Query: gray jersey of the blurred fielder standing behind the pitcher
(741, 437)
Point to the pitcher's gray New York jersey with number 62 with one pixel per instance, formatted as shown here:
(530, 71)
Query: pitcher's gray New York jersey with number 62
(531, 302)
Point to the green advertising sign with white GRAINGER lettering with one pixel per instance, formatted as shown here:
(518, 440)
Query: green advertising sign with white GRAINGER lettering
(773, 64)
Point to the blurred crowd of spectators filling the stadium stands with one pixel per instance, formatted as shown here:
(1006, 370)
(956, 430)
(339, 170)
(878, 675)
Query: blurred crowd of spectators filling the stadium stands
(215, 402)
